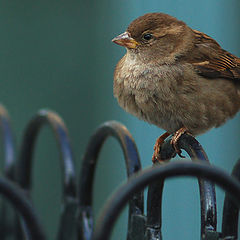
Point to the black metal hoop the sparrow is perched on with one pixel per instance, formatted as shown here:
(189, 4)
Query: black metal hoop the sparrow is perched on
(207, 191)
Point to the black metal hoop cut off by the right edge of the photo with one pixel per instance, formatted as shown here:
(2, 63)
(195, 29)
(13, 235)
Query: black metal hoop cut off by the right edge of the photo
(231, 211)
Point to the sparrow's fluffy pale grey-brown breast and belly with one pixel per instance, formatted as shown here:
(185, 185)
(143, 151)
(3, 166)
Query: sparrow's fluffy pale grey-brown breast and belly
(173, 96)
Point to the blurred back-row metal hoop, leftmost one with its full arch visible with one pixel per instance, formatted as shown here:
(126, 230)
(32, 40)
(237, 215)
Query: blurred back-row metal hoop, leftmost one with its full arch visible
(67, 228)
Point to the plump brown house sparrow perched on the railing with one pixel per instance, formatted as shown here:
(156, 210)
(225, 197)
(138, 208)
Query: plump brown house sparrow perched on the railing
(176, 78)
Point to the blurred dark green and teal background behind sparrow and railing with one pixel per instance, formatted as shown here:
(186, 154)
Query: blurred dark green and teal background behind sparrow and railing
(59, 55)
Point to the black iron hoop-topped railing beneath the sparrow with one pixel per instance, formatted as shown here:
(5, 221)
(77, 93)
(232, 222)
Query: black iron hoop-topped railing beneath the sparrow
(77, 217)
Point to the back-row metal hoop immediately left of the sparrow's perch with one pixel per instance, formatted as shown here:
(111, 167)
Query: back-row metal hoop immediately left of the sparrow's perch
(133, 165)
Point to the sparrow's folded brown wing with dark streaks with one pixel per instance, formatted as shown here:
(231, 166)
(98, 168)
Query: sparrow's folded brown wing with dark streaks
(210, 60)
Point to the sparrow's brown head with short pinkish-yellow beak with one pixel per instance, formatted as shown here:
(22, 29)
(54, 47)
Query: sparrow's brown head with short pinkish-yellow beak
(155, 37)
